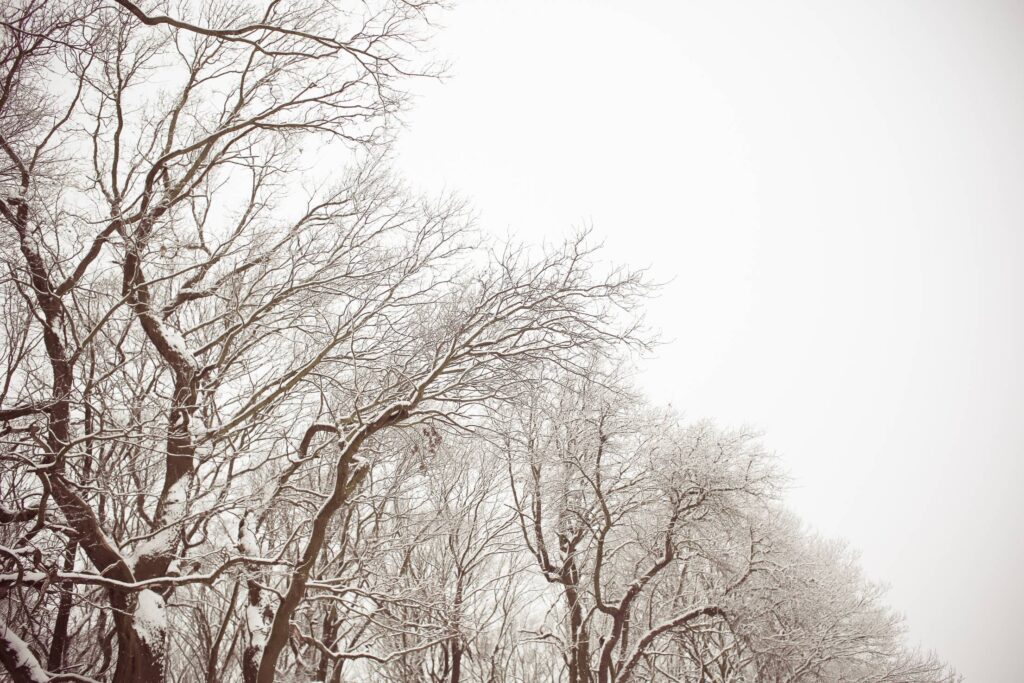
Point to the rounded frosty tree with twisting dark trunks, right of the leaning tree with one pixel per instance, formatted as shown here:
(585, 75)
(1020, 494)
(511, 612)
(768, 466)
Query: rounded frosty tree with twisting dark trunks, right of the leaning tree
(632, 497)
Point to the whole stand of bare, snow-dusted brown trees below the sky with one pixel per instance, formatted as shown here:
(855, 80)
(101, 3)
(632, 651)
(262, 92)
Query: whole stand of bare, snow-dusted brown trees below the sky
(269, 415)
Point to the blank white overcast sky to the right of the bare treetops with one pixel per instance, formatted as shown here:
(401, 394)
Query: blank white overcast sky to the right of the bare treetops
(837, 190)
